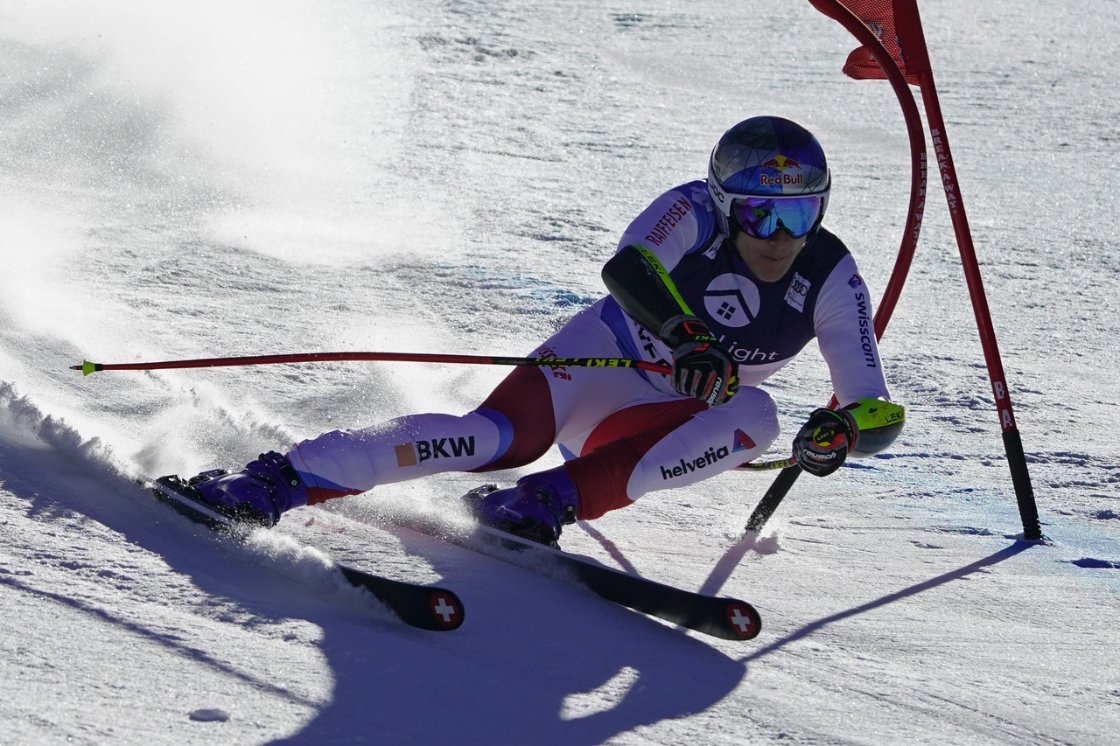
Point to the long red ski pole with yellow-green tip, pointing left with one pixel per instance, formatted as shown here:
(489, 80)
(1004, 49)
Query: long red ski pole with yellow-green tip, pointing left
(89, 368)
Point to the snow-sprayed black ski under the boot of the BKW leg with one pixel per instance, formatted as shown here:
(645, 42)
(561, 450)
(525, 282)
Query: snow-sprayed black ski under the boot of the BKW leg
(427, 608)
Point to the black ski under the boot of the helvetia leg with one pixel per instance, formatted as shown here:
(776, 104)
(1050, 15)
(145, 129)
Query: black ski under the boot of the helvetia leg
(729, 619)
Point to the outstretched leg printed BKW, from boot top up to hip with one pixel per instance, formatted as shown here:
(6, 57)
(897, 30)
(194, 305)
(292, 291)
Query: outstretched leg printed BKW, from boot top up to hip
(516, 426)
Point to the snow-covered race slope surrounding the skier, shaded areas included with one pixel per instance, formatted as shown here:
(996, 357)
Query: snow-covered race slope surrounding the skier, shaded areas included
(184, 180)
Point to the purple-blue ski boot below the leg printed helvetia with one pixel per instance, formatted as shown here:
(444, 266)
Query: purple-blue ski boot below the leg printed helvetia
(536, 509)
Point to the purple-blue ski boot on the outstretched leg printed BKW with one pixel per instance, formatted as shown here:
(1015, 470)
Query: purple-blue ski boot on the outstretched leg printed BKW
(259, 493)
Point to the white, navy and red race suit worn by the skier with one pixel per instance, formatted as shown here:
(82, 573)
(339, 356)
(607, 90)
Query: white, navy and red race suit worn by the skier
(624, 432)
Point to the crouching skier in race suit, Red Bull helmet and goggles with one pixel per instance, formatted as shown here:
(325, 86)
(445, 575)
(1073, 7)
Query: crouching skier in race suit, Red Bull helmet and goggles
(726, 279)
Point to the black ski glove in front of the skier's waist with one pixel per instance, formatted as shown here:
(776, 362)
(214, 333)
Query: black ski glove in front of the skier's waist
(702, 368)
